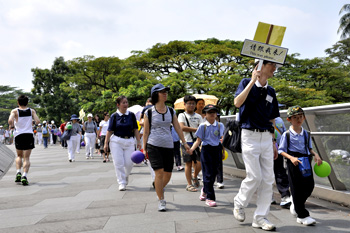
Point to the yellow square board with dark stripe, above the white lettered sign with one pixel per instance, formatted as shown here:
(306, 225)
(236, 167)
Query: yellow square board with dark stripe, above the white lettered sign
(275, 37)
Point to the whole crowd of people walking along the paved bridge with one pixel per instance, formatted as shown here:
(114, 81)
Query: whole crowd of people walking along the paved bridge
(194, 136)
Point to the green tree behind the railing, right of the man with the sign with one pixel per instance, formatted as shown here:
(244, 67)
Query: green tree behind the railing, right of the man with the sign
(317, 81)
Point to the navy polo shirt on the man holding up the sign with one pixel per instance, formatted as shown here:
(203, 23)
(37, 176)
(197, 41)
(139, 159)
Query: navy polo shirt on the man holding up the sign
(259, 108)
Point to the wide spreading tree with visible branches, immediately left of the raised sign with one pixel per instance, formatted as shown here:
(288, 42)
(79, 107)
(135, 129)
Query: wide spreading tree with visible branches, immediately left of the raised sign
(204, 66)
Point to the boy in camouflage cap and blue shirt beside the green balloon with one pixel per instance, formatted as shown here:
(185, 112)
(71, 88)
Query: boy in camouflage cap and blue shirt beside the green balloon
(296, 146)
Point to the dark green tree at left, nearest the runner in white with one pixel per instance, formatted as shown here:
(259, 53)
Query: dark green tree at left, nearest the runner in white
(55, 103)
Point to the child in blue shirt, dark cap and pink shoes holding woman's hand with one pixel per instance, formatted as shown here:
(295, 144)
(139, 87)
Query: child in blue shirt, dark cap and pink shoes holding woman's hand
(209, 133)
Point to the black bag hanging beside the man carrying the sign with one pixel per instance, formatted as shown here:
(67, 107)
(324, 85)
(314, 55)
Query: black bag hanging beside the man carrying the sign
(232, 136)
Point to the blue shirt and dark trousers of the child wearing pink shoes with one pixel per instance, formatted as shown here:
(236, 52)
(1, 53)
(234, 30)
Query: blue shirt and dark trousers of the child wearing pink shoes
(211, 154)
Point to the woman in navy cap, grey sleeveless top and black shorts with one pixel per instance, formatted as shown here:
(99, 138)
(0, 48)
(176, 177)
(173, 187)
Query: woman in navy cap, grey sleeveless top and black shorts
(158, 141)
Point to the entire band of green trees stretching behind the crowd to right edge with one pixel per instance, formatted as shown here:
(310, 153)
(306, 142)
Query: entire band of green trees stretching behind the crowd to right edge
(209, 66)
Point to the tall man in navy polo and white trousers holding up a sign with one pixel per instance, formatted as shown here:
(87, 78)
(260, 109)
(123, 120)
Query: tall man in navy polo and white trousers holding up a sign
(258, 108)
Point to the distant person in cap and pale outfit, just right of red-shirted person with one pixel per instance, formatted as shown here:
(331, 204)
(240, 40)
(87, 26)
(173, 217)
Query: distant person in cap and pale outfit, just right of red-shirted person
(75, 137)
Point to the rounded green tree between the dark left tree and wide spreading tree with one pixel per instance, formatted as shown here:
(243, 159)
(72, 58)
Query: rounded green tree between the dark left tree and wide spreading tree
(97, 82)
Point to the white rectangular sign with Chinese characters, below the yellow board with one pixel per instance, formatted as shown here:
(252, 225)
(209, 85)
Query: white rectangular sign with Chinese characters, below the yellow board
(252, 48)
